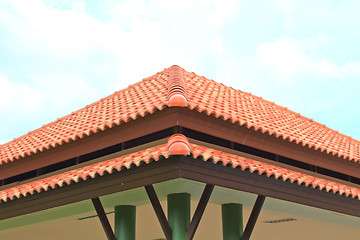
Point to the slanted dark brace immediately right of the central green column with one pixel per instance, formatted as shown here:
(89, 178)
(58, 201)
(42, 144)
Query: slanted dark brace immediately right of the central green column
(199, 211)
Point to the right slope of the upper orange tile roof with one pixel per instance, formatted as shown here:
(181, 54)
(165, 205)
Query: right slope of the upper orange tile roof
(254, 112)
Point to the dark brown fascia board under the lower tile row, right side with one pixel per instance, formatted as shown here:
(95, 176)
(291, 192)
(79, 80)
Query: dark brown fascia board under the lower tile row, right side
(246, 181)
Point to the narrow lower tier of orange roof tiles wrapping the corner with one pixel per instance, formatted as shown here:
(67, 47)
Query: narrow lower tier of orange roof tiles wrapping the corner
(162, 152)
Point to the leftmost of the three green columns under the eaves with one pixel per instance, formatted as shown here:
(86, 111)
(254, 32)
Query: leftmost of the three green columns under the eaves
(125, 220)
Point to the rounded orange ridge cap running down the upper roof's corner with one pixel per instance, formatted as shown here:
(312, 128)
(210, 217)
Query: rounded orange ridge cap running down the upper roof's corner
(176, 88)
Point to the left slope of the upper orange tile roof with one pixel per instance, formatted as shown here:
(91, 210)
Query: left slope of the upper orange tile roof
(139, 99)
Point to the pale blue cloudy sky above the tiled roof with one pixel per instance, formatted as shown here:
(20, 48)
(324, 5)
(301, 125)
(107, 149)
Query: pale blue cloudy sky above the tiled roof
(58, 56)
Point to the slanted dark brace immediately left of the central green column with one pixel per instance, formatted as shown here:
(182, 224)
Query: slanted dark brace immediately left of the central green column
(159, 211)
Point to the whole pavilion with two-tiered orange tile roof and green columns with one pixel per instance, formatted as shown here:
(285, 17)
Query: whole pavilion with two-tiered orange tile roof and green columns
(178, 156)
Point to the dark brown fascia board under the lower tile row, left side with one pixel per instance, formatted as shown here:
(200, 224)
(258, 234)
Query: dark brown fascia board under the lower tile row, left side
(151, 173)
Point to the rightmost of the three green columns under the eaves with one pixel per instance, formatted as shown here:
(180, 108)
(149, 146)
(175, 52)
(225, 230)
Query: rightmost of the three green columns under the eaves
(232, 221)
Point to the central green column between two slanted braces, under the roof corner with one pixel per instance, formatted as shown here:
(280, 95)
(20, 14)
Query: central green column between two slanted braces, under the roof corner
(179, 214)
